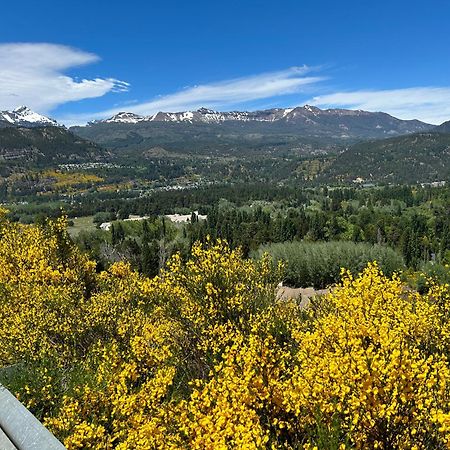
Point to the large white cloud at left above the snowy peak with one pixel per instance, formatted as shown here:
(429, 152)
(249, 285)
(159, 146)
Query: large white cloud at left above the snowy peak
(32, 74)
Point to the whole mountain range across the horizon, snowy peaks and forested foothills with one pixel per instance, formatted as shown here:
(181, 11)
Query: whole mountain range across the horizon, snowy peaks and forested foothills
(367, 145)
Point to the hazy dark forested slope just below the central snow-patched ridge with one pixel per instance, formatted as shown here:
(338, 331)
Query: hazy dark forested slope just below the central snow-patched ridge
(234, 138)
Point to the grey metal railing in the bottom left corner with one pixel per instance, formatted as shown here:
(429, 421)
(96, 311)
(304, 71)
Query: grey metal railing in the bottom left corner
(20, 430)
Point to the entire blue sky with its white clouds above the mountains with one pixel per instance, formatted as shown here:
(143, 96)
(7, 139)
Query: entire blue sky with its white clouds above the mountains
(81, 60)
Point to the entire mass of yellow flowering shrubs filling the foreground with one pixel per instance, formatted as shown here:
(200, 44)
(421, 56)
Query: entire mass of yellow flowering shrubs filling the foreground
(203, 356)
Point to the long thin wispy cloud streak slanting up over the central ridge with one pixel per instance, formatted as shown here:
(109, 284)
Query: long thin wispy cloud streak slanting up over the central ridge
(223, 94)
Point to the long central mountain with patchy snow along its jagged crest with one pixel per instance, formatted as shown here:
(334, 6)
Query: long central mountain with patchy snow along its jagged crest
(303, 130)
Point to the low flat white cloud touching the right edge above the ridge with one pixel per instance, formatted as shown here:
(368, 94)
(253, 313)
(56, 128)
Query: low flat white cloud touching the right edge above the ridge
(429, 104)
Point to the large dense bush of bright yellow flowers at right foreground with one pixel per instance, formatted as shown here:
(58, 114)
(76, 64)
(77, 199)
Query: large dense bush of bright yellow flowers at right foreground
(369, 365)
